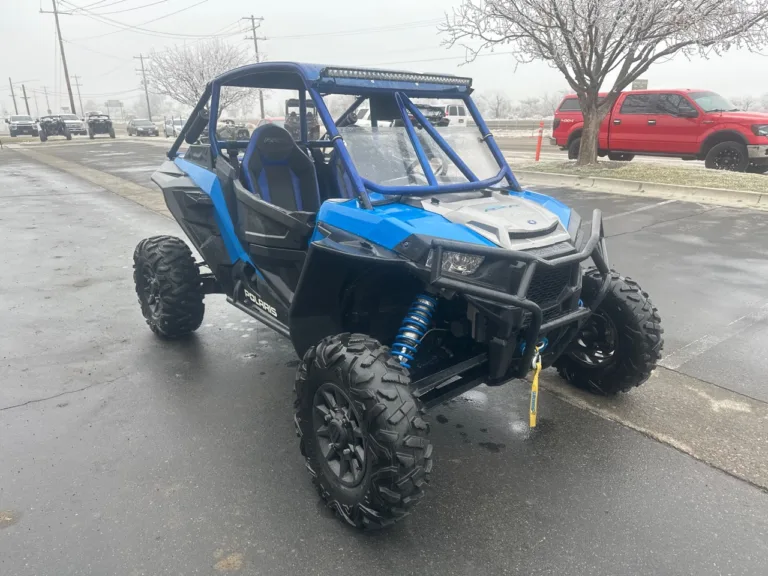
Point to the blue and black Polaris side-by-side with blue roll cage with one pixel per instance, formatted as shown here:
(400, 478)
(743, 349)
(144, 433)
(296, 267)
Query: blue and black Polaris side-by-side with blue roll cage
(401, 258)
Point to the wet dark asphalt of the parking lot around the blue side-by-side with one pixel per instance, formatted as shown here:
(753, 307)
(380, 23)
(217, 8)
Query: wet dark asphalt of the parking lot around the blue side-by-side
(123, 454)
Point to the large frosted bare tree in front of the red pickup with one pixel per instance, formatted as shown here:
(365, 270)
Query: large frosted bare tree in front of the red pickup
(589, 40)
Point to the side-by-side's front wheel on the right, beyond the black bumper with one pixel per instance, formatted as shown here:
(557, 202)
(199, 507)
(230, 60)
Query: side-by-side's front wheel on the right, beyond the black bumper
(620, 344)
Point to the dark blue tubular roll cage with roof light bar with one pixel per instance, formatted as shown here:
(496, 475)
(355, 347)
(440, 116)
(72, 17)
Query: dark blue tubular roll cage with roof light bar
(319, 81)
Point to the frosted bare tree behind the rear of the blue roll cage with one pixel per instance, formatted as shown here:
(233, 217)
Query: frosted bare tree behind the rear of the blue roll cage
(182, 72)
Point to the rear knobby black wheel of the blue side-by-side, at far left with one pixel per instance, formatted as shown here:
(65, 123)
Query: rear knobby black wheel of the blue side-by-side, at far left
(168, 285)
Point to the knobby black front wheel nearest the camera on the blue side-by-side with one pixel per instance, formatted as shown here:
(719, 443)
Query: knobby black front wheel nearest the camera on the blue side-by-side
(361, 431)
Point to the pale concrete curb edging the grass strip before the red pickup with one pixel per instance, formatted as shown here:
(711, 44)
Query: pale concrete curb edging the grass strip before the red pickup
(636, 188)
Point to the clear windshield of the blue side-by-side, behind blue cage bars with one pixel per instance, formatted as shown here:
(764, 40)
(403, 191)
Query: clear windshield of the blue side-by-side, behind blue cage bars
(386, 156)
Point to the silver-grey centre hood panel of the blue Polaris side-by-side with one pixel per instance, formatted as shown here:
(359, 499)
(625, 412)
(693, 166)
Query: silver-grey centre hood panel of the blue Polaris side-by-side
(508, 221)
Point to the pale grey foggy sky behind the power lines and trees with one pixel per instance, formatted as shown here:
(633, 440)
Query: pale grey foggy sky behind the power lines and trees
(107, 69)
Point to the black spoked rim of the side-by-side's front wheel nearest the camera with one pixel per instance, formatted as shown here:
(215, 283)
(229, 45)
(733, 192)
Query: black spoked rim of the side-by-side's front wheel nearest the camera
(339, 434)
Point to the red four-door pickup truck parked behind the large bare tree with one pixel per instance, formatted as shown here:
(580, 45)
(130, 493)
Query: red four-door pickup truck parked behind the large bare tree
(687, 124)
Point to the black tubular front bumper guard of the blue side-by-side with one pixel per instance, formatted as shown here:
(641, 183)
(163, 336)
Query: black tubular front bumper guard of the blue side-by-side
(501, 355)
